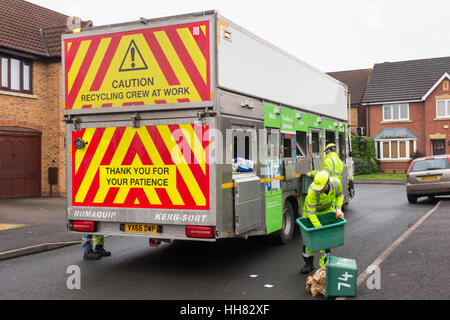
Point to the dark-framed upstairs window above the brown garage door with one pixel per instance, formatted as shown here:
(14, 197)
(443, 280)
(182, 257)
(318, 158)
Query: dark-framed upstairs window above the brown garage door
(15, 74)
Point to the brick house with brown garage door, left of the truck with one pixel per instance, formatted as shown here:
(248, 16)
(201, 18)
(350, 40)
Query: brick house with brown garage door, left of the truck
(32, 133)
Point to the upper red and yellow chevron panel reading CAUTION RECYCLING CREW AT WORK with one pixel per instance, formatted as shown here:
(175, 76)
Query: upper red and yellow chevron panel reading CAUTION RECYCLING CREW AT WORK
(148, 66)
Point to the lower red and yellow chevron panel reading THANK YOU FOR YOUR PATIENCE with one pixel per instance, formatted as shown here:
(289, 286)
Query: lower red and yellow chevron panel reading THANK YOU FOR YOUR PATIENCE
(163, 166)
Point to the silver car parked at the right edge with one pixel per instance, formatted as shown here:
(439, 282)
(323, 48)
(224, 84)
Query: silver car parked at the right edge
(428, 176)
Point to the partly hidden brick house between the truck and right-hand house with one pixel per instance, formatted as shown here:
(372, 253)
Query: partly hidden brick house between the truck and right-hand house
(356, 81)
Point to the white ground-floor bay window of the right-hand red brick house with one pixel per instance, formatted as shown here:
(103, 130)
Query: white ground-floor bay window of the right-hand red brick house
(401, 149)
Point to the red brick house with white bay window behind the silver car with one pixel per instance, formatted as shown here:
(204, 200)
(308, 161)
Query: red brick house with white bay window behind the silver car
(408, 110)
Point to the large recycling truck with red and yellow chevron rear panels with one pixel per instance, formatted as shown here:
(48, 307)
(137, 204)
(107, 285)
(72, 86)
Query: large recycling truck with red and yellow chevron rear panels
(190, 127)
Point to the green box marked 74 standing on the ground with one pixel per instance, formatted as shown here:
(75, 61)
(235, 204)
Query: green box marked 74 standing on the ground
(341, 277)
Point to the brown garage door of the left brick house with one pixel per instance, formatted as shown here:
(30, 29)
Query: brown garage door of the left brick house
(20, 174)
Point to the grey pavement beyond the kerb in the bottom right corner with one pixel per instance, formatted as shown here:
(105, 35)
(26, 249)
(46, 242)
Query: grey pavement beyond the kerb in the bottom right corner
(418, 268)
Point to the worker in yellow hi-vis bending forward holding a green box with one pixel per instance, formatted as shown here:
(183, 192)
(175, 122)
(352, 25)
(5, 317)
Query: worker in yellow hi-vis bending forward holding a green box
(325, 194)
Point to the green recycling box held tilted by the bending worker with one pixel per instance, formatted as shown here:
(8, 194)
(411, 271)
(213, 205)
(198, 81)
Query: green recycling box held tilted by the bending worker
(329, 235)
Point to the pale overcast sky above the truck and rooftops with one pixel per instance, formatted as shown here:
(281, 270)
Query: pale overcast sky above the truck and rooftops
(331, 35)
